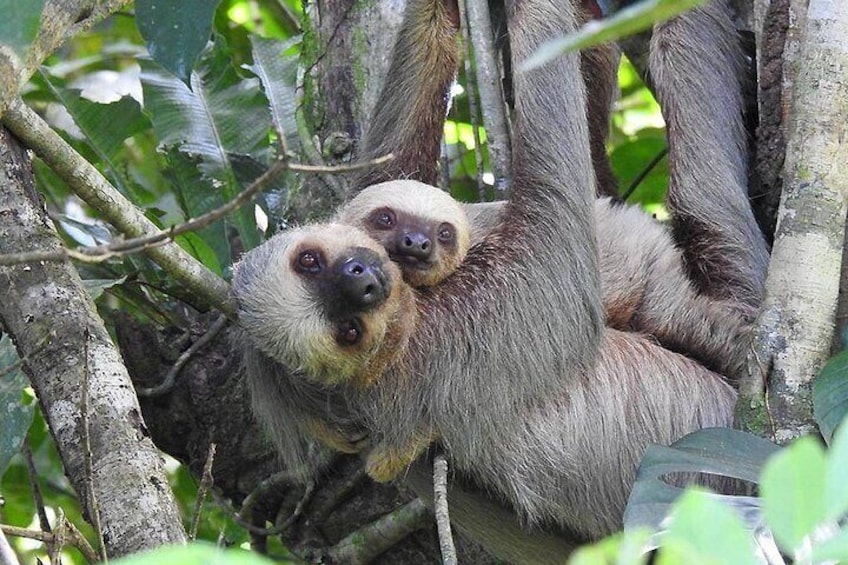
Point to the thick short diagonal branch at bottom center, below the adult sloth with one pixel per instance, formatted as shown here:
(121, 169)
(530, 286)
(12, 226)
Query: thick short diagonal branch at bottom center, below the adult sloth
(363, 545)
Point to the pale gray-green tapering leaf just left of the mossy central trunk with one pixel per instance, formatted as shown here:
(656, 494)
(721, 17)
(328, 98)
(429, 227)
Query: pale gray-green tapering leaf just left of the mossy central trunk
(278, 75)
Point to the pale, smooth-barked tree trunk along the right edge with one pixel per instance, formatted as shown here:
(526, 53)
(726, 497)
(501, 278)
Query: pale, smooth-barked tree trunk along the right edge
(797, 320)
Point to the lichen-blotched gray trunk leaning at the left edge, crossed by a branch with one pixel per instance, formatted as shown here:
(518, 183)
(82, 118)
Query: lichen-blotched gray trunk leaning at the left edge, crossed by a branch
(77, 373)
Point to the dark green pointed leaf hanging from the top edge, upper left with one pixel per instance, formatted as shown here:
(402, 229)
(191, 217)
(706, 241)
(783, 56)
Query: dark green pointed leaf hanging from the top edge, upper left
(175, 32)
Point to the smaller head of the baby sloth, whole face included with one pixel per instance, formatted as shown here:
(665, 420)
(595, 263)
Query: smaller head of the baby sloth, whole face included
(421, 227)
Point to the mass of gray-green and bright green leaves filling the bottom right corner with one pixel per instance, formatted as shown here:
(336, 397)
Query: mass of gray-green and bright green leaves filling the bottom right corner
(803, 504)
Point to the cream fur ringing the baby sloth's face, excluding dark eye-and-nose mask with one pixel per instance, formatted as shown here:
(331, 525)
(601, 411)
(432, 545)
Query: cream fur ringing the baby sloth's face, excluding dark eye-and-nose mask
(428, 205)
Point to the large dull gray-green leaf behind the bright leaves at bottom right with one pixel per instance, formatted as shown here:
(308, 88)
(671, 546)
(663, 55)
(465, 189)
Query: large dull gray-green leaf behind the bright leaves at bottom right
(717, 451)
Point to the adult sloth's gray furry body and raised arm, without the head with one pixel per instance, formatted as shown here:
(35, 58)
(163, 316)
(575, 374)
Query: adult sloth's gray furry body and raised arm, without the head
(533, 397)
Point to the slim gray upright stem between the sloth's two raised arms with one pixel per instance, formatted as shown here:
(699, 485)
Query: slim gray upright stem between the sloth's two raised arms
(491, 95)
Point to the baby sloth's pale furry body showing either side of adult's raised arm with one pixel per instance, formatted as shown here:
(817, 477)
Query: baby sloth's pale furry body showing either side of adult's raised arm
(645, 287)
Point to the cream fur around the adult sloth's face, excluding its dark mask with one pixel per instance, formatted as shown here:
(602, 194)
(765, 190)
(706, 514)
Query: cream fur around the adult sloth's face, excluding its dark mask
(268, 288)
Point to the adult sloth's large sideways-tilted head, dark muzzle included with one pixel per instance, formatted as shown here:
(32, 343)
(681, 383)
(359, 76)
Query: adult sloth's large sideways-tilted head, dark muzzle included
(321, 299)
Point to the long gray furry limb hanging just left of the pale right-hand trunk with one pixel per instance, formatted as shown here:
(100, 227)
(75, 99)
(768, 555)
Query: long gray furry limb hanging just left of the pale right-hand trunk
(696, 67)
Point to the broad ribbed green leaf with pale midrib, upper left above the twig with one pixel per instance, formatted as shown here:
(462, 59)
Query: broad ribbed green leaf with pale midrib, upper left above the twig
(222, 115)
